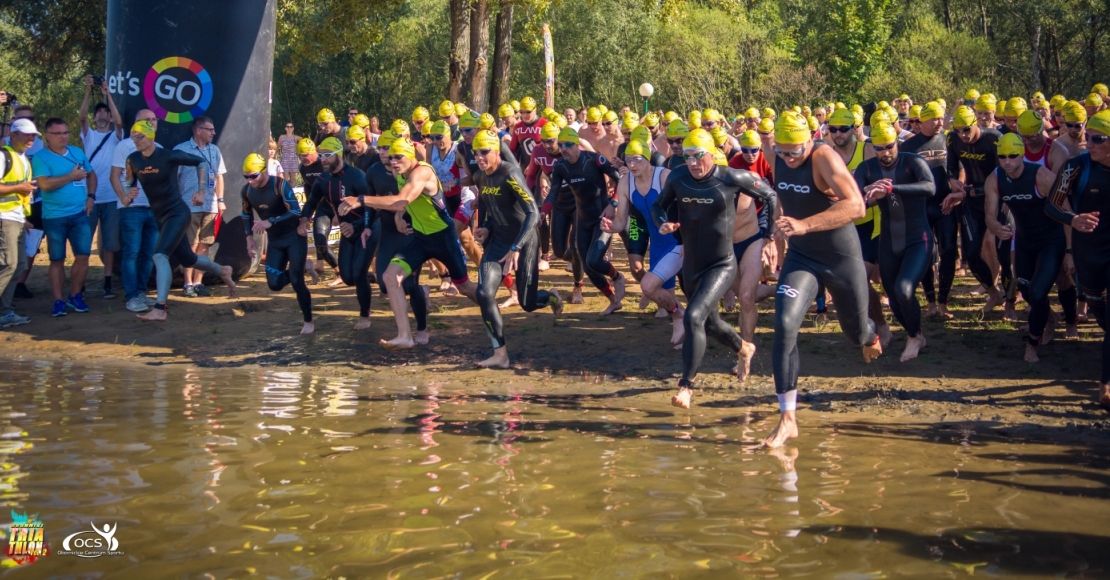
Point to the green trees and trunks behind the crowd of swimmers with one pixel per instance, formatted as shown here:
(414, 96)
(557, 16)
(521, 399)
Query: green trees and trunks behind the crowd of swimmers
(389, 56)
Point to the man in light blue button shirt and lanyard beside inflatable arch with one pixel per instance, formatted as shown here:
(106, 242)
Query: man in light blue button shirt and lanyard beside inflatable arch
(205, 200)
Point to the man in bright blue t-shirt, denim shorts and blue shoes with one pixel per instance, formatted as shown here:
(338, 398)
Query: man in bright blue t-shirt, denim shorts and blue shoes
(68, 187)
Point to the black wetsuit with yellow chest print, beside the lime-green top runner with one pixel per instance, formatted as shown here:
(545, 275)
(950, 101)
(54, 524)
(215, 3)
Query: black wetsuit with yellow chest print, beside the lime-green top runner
(510, 215)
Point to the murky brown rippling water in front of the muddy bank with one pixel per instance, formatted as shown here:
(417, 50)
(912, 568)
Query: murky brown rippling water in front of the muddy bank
(265, 472)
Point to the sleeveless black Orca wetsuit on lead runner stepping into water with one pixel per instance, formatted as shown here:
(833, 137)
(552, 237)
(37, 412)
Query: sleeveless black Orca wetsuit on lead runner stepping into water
(832, 258)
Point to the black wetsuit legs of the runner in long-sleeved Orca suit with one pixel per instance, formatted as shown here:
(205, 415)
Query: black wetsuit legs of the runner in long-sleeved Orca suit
(702, 317)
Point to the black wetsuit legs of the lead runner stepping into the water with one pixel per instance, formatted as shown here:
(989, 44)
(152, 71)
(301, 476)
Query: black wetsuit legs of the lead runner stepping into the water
(798, 288)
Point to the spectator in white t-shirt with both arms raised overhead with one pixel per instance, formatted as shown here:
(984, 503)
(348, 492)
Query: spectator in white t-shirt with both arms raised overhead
(99, 141)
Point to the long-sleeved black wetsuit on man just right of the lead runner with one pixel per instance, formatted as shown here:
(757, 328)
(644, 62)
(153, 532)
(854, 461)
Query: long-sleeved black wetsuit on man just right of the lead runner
(905, 240)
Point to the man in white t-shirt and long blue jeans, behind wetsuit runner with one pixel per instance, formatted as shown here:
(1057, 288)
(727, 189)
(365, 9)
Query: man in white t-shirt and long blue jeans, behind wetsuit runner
(138, 228)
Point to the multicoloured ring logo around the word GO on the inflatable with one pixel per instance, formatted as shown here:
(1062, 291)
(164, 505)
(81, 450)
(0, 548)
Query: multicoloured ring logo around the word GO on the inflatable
(178, 89)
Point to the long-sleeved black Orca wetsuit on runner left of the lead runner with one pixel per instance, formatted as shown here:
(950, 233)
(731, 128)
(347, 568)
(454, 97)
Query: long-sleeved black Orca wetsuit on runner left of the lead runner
(707, 212)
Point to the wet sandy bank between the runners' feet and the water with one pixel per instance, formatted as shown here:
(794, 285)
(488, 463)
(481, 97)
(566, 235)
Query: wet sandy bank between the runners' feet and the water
(971, 377)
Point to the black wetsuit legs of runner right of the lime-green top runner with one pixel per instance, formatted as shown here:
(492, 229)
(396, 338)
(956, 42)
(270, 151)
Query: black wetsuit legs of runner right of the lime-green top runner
(491, 274)
